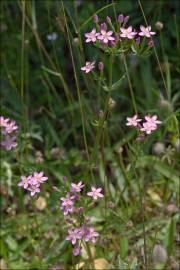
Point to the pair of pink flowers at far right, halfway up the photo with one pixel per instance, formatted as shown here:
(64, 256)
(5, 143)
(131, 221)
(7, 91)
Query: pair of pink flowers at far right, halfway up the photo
(149, 124)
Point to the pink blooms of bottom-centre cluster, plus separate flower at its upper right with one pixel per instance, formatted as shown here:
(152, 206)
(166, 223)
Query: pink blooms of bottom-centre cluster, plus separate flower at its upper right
(80, 230)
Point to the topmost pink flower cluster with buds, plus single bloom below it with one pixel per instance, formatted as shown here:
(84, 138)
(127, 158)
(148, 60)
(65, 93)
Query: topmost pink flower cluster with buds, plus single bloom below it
(118, 39)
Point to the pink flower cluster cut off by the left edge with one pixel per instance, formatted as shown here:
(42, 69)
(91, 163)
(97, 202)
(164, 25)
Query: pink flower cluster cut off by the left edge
(8, 133)
